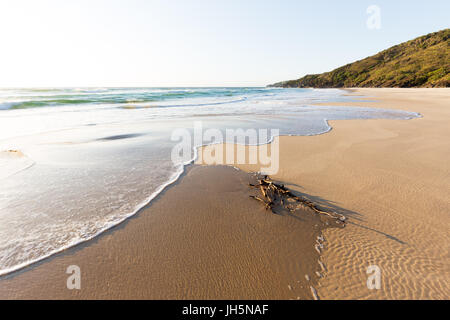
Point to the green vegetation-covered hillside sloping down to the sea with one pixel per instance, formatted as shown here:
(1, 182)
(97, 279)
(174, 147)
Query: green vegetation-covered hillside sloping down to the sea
(422, 62)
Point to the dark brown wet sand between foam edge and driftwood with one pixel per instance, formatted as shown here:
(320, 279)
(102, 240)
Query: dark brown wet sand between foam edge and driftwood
(202, 238)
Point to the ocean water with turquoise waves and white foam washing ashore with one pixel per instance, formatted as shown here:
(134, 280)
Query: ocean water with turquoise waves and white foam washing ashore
(75, 162)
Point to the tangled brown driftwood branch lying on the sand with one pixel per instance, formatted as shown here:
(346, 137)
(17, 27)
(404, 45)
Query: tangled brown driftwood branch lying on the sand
(277, 194)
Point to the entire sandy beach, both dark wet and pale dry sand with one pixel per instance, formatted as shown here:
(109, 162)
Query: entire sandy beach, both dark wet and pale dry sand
(204, 238)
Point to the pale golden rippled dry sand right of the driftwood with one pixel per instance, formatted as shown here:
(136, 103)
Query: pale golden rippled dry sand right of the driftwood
(392, 179)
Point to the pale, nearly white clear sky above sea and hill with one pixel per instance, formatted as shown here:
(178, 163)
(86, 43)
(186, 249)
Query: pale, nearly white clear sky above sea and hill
(101, 43)
